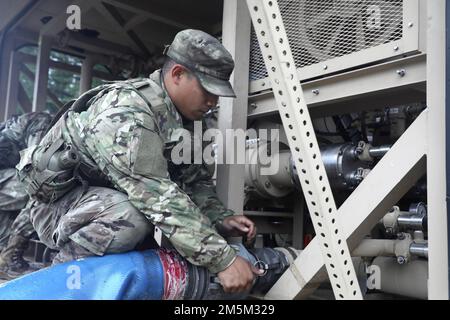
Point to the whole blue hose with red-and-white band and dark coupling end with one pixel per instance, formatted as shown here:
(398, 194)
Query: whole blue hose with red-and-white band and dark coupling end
(148, 275)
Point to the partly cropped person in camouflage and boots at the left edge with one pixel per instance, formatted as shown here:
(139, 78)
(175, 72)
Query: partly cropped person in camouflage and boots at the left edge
(16, 229)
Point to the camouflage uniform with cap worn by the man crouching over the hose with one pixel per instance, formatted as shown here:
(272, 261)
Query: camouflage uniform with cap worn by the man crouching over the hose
(127, 136)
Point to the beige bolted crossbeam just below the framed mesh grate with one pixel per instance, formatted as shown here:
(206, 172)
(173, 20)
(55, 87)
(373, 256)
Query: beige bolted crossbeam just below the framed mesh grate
(362, 89)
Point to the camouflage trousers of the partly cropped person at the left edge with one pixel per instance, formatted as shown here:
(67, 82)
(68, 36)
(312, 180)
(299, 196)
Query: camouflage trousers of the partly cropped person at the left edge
(13, 199)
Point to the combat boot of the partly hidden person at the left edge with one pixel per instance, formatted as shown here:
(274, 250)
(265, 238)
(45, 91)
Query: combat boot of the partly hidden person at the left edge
(12, 263)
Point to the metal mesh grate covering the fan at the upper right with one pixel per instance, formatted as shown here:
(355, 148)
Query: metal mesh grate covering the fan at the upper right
(319, 30)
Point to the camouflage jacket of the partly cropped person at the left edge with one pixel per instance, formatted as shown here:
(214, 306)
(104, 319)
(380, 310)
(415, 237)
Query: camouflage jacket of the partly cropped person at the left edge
(21, 132)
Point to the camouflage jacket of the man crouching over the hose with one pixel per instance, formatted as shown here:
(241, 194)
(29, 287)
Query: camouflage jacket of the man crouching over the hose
(127, 138)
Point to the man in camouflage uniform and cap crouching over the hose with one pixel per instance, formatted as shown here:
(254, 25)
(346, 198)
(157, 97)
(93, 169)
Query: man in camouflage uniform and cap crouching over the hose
(123, 181)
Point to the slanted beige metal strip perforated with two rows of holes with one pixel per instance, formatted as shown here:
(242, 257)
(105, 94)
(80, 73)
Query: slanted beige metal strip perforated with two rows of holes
(294, 113)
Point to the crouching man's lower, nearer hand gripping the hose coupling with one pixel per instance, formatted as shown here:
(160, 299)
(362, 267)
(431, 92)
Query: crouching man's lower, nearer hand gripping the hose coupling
(239, 276)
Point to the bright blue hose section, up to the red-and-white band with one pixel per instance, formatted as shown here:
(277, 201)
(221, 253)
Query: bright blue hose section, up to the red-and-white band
(127, 276)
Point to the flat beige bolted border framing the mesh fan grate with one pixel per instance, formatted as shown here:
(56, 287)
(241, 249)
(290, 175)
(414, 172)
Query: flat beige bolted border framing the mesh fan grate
(408, 44)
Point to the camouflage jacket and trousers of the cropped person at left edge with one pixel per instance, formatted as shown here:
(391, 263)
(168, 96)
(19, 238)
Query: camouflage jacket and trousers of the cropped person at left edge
(17, 133)
